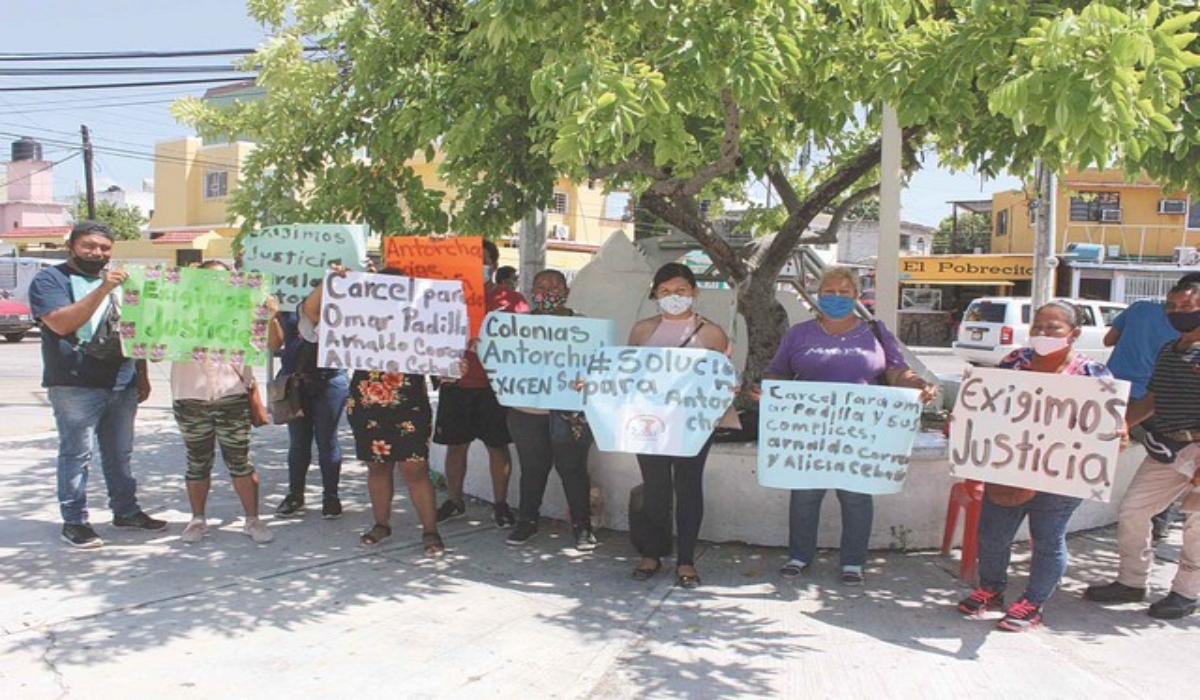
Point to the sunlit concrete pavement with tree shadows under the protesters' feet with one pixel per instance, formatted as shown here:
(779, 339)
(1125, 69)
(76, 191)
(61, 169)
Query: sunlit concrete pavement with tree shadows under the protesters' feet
(315, 615)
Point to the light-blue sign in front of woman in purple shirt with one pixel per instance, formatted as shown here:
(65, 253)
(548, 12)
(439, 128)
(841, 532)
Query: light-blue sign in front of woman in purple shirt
(825, 435)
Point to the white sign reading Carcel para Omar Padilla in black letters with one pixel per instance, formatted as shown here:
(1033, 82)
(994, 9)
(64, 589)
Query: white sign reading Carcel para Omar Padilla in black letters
(389, 324)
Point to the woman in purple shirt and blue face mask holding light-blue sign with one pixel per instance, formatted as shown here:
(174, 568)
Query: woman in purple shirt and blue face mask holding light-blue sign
(838, 346)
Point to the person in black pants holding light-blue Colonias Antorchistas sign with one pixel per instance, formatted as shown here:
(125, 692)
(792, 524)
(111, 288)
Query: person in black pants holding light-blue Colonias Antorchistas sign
(553, 439)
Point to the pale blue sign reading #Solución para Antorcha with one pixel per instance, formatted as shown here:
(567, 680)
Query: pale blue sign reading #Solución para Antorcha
(657, 402)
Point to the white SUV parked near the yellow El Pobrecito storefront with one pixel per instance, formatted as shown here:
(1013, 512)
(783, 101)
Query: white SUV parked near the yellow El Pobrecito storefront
(994, 327)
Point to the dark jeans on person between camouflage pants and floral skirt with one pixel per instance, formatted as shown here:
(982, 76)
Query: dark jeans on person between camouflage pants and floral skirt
(323, 402)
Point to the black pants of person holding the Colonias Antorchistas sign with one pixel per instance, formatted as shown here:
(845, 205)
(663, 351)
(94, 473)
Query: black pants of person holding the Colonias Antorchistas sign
(538, 456)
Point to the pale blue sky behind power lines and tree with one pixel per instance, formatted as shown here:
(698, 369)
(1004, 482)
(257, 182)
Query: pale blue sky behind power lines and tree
(128, 123)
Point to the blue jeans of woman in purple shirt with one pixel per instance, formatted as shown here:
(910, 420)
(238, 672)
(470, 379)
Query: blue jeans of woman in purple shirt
(805, 519)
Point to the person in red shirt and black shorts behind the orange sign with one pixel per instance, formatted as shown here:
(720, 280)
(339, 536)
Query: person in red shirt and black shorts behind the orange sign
(470, 411)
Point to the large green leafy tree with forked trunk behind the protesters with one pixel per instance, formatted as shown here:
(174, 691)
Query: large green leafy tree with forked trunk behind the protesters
(681, 100)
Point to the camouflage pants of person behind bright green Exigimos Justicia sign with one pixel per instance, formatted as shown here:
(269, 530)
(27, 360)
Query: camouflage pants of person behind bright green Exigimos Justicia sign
(225, 422)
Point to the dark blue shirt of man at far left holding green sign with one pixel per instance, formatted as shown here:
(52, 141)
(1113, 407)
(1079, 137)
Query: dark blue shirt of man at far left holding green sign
(64, 364)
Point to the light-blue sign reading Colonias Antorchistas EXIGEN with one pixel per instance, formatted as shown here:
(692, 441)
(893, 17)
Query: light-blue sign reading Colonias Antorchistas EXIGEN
(535, 362)
